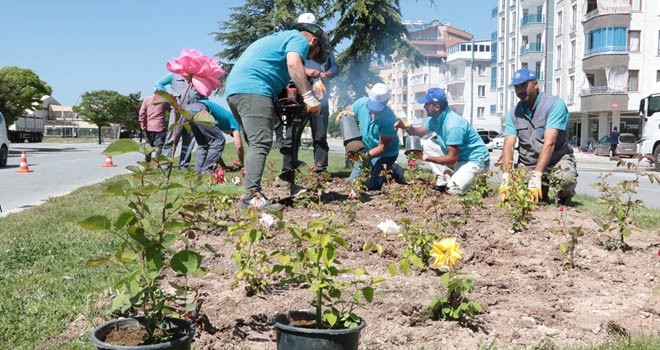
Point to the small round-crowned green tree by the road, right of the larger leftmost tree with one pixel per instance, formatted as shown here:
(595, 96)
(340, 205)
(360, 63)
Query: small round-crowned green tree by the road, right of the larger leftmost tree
(102, 107)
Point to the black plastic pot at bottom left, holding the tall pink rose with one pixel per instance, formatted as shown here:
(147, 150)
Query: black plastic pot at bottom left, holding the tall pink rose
(183, 329)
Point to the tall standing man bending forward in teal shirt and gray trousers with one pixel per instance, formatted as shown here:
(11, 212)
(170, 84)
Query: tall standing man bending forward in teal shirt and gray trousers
(253, 85)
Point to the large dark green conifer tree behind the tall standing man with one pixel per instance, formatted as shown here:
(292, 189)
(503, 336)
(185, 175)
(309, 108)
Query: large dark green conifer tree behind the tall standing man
(371, 29)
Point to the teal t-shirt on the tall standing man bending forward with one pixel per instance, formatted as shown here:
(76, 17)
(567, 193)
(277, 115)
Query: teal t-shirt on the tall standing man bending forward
(262, 68)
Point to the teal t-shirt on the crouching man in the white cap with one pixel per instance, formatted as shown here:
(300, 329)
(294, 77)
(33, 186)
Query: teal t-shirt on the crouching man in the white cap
(372, 129)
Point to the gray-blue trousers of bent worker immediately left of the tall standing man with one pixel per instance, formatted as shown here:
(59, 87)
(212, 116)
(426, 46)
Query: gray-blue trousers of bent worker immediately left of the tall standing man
(210, 143)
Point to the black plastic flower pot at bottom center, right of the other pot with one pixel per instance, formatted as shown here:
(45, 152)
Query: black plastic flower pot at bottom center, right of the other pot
(290, 337)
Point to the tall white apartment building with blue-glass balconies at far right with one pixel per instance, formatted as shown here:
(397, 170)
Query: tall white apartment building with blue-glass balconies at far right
(599, 56)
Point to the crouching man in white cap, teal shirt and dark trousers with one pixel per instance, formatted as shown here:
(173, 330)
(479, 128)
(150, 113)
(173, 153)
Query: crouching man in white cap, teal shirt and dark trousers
(376, 121)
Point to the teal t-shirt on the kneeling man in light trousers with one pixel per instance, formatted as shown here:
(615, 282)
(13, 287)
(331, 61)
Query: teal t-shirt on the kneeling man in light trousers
(454, 130)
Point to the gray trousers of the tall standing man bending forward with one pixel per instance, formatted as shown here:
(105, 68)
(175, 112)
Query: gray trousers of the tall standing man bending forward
(256, 115)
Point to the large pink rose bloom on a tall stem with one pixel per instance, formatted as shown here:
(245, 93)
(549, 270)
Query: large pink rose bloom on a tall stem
(203, 71)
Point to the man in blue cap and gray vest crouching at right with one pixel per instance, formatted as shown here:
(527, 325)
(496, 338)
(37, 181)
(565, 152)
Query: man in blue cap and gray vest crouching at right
(539, 123)
